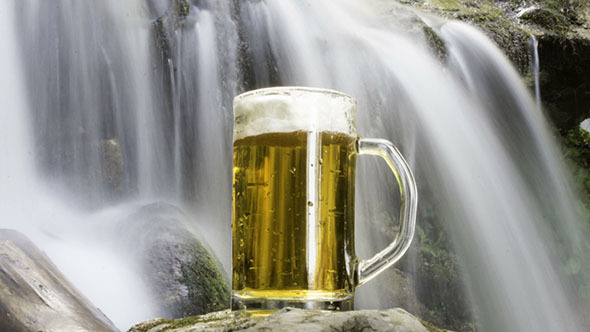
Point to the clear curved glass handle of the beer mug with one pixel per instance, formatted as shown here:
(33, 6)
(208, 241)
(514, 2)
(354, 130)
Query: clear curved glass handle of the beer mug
(368, 269)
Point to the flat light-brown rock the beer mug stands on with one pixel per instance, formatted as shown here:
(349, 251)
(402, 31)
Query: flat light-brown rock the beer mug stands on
(288, 319)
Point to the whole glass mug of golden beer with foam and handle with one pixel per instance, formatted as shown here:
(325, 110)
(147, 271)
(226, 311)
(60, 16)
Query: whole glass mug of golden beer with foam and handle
(294, 157)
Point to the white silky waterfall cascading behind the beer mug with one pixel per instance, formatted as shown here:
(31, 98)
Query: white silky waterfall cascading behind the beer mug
(130, 101)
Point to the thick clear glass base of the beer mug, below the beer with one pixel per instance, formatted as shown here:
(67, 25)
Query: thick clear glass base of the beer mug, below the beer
(266, 305)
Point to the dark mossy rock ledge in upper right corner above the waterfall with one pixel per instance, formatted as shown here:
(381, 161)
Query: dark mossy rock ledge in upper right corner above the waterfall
(562, 29)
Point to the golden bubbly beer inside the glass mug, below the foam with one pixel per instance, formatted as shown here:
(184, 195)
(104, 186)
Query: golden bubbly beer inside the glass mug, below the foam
(272, 225)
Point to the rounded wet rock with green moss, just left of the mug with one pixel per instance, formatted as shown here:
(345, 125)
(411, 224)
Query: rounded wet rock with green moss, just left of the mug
(184, 277)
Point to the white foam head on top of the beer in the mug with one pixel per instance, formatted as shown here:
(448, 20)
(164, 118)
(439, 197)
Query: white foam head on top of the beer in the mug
(289, 109)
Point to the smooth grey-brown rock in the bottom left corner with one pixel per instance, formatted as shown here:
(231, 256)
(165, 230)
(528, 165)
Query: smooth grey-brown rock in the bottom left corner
(35, 296)
